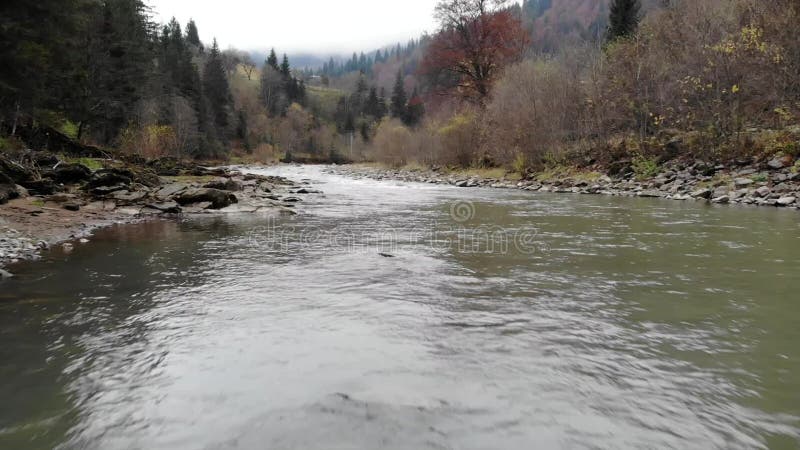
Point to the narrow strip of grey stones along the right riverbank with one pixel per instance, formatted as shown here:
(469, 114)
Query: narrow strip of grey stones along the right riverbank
(774, 183)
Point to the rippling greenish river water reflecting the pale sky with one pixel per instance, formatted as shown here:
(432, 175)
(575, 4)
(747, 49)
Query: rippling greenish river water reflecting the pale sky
(410, 316)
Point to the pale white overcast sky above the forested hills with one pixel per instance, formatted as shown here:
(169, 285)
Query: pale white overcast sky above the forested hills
(319, 26)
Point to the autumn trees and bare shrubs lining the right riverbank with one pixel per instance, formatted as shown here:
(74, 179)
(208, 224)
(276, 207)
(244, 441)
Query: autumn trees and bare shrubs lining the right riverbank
(712, 79)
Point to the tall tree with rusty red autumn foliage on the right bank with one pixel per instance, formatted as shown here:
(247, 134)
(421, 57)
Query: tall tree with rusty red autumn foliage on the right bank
(476, 39)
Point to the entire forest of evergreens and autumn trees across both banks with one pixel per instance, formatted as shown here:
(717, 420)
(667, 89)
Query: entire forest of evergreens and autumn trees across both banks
(522, 86)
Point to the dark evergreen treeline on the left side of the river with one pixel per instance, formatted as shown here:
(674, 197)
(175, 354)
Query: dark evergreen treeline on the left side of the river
(102, 72)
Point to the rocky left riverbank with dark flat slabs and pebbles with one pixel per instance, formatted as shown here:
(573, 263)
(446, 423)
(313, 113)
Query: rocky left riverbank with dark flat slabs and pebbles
(46, 201)
